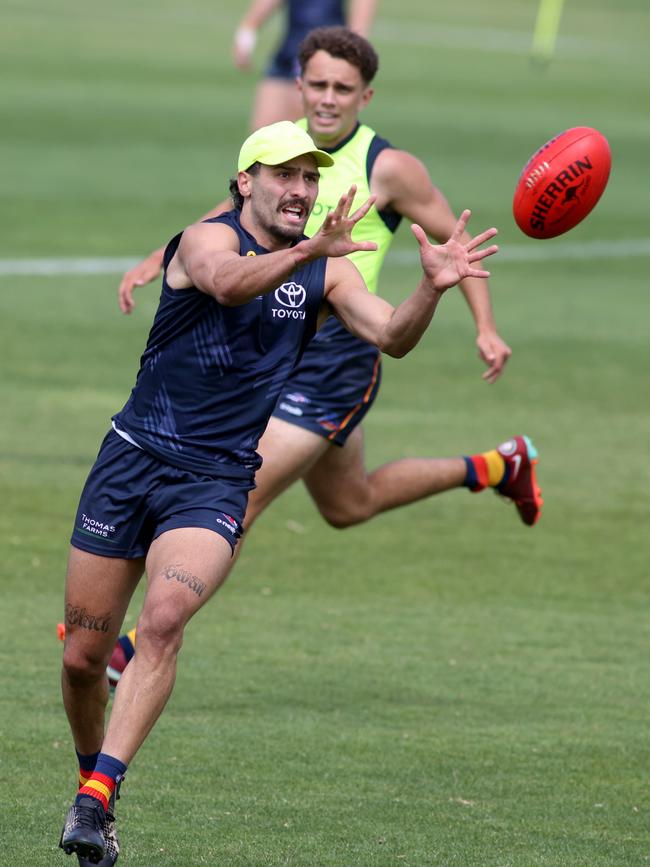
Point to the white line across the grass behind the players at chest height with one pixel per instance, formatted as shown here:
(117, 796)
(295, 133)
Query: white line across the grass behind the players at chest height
(560, 251)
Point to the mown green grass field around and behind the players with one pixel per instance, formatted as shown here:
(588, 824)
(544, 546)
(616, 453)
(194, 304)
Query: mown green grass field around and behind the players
(442, 686)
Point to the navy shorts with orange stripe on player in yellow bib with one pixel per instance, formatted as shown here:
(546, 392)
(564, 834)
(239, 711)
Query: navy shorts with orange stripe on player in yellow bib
(333, 387)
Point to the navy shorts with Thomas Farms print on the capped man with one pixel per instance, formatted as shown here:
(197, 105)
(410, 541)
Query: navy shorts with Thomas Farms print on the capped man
(131, 497)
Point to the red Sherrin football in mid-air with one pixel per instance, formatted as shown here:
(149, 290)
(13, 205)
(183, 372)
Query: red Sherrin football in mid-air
(562, 182)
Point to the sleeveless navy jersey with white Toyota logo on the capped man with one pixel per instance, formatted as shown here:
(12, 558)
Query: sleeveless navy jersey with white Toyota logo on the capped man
(210, 375)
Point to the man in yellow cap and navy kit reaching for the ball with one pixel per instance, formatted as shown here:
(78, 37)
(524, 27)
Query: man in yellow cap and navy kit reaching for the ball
(243, 294)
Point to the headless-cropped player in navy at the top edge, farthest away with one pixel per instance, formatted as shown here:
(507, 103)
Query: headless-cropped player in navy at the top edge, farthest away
(276, 96)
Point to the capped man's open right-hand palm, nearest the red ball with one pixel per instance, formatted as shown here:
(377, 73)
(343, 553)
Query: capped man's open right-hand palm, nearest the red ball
(445, 265)
